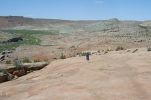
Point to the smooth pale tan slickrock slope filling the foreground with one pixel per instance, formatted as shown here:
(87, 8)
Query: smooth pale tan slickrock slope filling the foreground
(118, 75)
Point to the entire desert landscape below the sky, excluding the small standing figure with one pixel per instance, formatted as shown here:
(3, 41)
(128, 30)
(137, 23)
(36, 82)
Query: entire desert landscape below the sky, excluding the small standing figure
(44, 59)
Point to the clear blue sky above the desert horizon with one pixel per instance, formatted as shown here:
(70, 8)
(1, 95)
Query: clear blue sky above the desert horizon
(78, 9)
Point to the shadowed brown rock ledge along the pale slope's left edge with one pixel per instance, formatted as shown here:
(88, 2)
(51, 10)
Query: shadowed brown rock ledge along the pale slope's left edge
(13, 72)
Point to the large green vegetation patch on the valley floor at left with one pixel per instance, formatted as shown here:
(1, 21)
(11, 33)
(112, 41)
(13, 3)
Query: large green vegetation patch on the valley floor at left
(28, 36)
